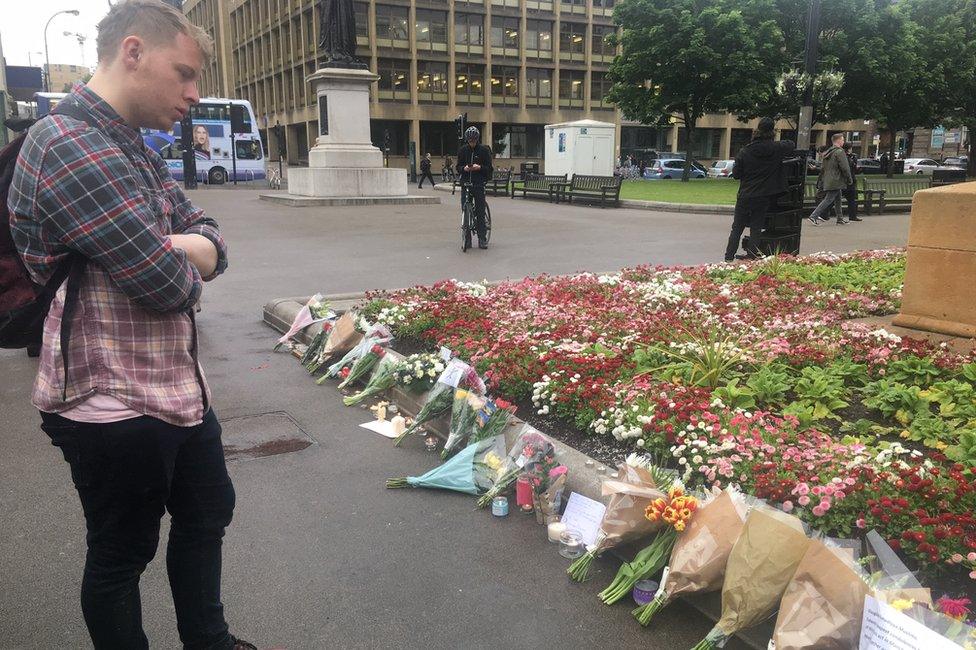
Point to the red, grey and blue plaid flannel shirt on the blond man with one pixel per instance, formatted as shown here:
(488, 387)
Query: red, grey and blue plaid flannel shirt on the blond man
(101, 193)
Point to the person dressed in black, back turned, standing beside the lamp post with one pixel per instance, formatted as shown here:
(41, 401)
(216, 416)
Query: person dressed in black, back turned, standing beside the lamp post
(759, 169)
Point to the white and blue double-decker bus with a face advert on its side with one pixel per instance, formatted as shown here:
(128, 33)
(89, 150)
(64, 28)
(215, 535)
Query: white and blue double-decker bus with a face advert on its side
(212, 143)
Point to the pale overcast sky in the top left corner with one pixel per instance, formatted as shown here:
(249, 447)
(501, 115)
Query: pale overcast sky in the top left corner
(22, 30)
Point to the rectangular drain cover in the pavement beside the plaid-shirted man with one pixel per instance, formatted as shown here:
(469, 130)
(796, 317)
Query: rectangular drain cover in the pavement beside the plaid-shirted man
(266, 434)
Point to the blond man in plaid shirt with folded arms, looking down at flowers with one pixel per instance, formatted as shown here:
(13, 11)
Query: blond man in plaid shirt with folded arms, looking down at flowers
(119, 387)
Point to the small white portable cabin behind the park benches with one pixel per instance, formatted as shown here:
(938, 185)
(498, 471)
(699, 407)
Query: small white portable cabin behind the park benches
(580, 147)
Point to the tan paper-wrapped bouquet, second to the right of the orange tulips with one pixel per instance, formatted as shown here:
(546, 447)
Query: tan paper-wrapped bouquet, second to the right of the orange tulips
(760, 567)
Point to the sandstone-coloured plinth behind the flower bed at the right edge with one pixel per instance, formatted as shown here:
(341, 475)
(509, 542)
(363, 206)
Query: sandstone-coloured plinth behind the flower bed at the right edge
(941, 271)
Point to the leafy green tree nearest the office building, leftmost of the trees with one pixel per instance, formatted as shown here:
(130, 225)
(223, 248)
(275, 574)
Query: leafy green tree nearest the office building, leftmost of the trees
(686, 58)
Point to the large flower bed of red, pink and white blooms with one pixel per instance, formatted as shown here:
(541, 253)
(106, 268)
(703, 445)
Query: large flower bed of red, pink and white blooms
(749, 374)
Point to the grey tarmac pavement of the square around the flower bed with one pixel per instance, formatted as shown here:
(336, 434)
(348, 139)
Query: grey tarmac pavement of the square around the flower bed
(320, 555)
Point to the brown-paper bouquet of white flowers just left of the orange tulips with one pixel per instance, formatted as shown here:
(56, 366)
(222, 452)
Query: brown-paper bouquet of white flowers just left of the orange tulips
(624, 521)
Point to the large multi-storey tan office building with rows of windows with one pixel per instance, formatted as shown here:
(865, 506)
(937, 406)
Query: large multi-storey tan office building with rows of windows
(512, 66)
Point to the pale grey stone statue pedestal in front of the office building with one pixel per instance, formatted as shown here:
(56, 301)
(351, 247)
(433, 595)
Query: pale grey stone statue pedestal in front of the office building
(344, 162)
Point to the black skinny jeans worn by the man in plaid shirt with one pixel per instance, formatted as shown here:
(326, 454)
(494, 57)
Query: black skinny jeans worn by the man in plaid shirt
(127, 475)
